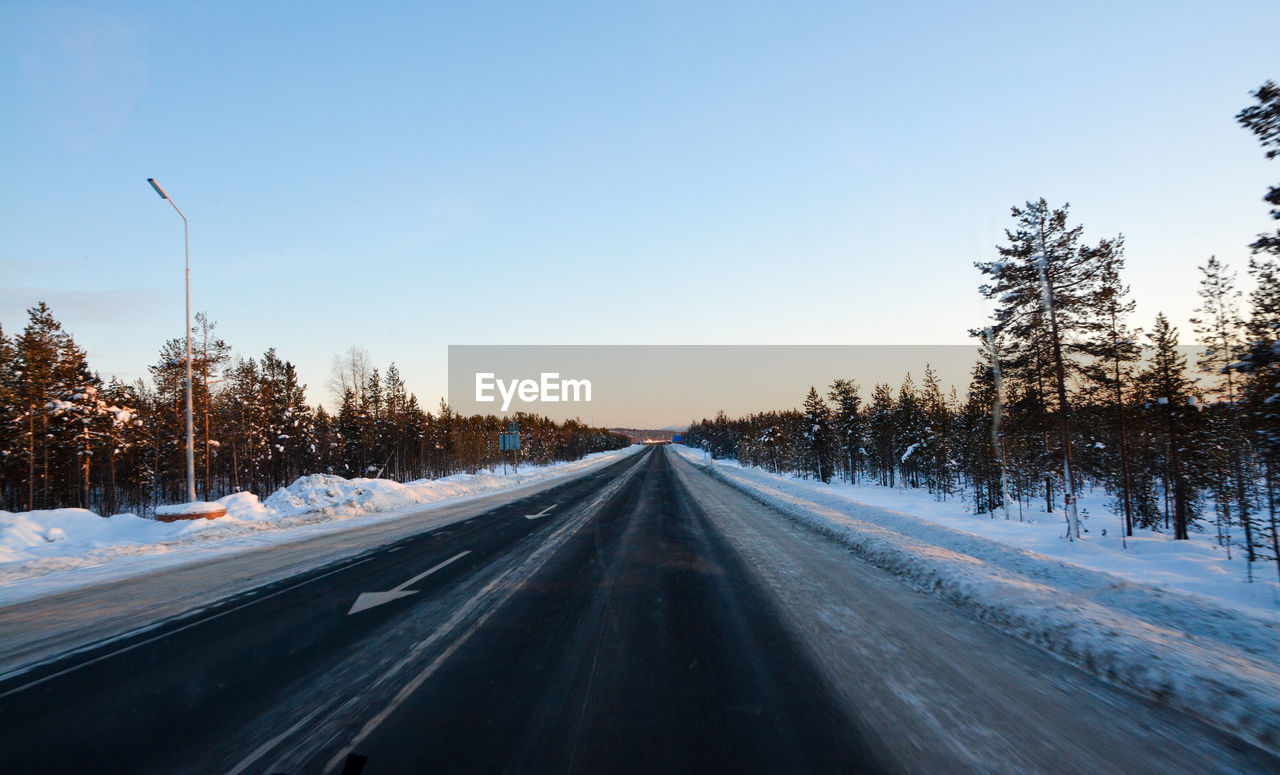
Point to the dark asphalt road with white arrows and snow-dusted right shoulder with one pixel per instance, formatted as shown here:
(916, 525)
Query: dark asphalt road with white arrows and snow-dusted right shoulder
(646, 618)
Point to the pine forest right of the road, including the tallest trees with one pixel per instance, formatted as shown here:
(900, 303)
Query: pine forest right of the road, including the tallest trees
(1067, 395)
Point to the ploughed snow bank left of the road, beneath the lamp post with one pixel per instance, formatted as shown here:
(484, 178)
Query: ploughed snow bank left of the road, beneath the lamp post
(43, 553)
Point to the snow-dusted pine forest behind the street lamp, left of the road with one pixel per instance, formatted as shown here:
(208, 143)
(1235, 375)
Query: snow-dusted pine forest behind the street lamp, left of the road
(68, 439)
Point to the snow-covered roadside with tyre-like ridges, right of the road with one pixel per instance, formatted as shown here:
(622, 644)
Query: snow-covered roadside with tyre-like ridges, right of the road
(1174, 621)
